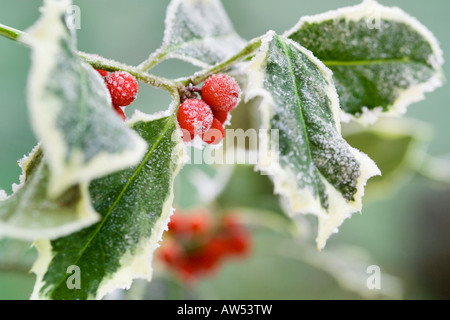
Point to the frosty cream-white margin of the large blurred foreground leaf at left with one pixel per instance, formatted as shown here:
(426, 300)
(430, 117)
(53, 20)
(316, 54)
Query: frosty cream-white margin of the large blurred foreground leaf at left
(43, 48)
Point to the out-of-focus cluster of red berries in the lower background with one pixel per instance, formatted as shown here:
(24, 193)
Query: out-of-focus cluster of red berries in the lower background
(196, 245)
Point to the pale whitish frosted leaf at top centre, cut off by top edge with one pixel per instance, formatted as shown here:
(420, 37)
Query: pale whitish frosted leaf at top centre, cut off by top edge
(199, 32)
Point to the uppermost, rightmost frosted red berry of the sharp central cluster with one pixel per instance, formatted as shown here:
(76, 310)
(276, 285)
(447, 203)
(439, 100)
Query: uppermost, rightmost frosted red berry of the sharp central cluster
(221, 92)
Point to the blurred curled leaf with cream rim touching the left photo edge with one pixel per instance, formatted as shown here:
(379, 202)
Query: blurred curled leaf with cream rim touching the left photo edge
(29, 214)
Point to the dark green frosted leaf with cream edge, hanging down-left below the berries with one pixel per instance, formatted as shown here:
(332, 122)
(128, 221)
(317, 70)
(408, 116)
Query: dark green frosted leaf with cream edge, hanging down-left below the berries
(135, 205)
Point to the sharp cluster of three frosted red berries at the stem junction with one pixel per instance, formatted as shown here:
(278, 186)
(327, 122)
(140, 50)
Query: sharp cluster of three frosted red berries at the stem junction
(205, 117)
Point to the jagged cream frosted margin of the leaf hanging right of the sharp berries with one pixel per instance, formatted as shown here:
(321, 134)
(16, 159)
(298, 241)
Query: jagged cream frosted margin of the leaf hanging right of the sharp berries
(292, 201)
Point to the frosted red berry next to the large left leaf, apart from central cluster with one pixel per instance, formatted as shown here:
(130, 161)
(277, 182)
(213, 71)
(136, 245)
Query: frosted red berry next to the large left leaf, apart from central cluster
(123, 88)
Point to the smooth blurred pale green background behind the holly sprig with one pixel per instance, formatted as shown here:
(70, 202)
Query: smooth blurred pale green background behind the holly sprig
(406, 234)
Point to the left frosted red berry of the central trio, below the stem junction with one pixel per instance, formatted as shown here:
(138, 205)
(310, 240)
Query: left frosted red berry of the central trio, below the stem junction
(195, 116)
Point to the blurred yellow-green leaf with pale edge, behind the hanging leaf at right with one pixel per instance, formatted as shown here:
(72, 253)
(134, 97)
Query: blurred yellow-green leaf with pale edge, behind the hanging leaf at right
(397, 145)
